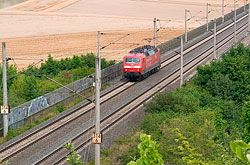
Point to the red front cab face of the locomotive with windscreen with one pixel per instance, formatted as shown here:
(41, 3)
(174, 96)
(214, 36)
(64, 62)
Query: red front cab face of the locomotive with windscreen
(132, 67)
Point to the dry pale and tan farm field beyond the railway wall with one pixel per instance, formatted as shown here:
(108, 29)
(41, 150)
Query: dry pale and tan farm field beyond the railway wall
(63, 28)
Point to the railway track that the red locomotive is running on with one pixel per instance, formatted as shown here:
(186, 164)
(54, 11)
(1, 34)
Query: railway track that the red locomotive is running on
(14, 148)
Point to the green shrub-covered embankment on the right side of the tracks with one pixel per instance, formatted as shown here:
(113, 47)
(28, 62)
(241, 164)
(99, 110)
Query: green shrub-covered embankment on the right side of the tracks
(195, 123)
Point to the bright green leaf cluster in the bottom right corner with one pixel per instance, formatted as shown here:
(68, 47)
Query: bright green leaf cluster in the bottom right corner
(241, 149)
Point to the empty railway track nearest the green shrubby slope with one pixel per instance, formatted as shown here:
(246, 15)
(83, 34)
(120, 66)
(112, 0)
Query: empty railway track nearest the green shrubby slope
(124, 111)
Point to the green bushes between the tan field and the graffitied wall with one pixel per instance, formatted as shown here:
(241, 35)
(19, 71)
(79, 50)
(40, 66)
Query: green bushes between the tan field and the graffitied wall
(32, 82)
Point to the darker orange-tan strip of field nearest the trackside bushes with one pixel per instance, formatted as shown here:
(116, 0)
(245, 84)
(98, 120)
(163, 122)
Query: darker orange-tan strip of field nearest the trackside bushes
(30, 50)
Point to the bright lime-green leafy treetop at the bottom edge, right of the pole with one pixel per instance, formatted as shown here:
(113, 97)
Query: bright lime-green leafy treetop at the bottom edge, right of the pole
(148, 152)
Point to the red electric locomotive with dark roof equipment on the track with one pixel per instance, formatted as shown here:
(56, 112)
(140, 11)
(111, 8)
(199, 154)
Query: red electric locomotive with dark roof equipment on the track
(141, 61)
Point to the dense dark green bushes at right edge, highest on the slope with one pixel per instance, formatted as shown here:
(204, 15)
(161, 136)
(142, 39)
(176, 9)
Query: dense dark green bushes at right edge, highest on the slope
(229, 78)
